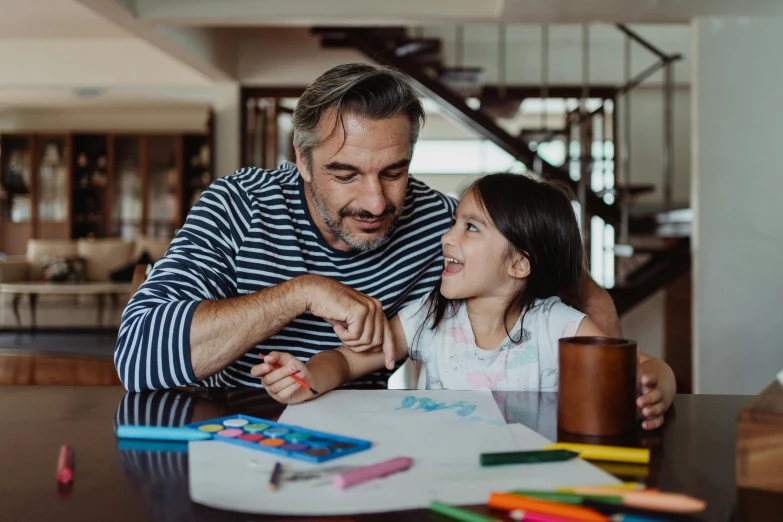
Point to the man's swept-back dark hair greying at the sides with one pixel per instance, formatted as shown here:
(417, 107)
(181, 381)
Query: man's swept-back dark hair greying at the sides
(364, 90)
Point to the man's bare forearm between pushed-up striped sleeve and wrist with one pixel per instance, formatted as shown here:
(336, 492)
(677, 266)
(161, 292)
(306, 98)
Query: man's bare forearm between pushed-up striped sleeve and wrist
(223, 330)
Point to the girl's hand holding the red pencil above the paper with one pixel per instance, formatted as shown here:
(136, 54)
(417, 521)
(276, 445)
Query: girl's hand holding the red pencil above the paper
(278, 382)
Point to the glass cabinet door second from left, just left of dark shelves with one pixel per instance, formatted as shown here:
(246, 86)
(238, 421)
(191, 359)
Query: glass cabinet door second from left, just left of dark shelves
(53, 179)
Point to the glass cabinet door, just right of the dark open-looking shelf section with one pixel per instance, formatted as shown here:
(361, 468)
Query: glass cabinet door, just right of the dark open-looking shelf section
(126, 214)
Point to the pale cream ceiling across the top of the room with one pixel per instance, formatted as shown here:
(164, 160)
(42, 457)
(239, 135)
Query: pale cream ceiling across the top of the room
(151, 51)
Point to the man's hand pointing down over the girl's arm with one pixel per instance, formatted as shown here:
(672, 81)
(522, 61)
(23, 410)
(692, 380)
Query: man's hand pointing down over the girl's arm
(357, 319)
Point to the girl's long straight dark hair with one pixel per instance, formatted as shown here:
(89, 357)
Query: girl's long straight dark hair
(538, 220)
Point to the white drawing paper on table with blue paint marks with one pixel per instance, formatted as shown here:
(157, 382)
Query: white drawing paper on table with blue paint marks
(443, 431)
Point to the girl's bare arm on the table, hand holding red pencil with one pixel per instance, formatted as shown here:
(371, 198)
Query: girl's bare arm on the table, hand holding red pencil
(324, 371)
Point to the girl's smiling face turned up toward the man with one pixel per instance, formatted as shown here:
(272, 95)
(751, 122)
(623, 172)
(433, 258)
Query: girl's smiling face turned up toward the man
(479, 261)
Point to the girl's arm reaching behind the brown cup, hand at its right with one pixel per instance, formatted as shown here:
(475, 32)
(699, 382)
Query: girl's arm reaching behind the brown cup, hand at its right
(658, 386)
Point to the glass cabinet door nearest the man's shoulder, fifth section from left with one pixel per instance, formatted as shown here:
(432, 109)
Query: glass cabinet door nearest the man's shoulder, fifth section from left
(162, 186)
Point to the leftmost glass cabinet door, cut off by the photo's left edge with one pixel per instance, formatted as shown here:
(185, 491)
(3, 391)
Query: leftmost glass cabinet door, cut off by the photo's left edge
(15, 175)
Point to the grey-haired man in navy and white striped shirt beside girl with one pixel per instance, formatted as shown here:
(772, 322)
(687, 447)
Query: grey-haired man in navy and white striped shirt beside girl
(305, 257)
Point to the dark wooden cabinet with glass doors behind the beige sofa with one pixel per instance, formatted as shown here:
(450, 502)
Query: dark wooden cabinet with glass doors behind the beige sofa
(73, 185)
